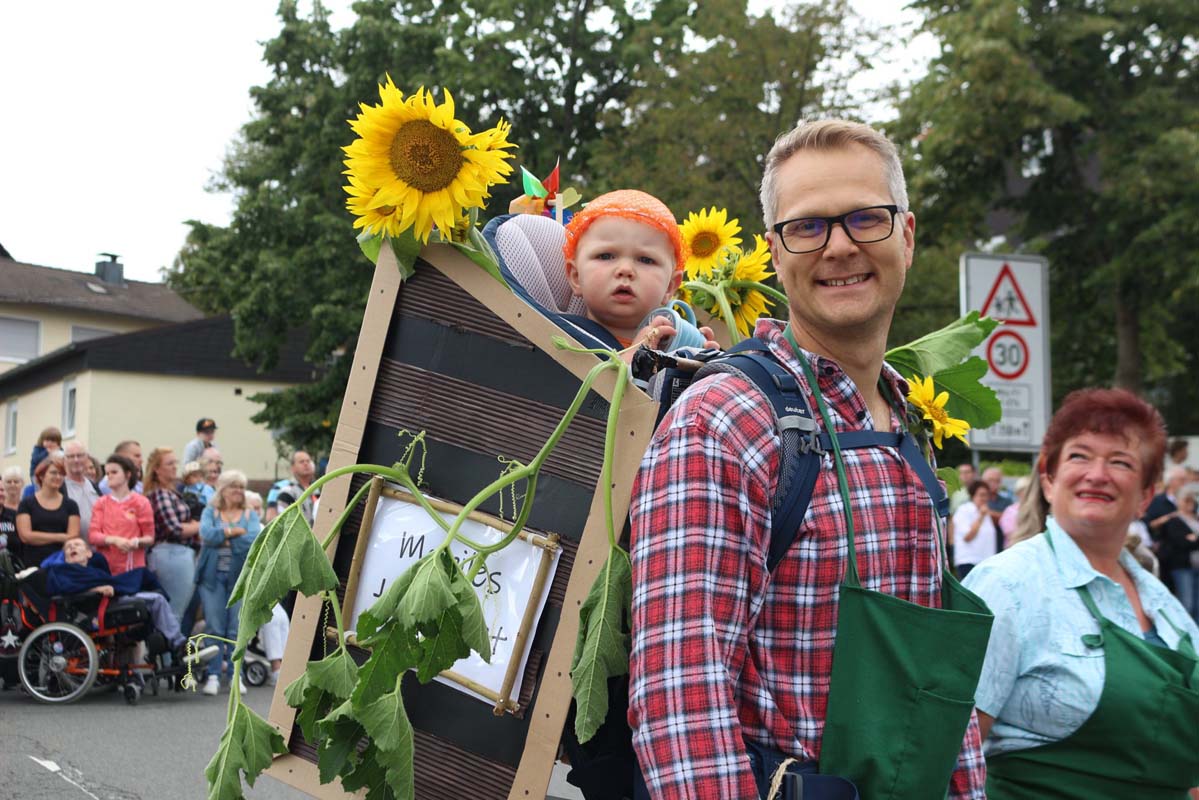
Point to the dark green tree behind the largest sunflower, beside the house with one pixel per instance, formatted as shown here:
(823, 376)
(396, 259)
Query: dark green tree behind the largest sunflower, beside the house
(288, 264)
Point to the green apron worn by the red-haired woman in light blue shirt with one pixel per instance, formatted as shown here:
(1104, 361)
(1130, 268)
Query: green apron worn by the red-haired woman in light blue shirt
(1142, 741)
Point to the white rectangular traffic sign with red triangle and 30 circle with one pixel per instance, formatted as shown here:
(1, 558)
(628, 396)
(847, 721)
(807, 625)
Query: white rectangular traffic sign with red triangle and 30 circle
(1014, 290)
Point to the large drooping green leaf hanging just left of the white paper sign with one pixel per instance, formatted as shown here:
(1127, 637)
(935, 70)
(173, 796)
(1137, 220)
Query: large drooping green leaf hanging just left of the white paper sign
(286, 557)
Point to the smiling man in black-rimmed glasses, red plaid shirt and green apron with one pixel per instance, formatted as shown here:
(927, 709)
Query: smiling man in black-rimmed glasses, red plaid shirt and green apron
(732, 666)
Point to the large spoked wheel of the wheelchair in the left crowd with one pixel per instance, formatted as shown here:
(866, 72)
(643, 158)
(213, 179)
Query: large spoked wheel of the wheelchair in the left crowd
(58, 664)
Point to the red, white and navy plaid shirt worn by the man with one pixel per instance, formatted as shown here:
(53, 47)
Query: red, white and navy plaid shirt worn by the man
(725, 652)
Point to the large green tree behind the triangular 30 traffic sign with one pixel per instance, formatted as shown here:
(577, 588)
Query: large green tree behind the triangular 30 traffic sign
(1079, 123)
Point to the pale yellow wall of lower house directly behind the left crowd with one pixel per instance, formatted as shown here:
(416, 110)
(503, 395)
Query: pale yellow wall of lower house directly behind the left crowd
(156, 411)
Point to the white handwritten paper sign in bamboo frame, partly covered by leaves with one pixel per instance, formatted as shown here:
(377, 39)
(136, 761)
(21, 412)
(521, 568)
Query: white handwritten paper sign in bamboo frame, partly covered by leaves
(403, 533)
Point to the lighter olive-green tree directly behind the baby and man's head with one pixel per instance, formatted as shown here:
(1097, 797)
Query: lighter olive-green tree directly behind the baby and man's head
(697, 131)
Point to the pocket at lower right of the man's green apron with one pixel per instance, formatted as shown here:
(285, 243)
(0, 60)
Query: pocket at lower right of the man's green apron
(936, 730)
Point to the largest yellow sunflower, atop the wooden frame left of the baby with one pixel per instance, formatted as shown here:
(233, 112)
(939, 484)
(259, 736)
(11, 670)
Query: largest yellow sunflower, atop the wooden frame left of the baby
(423, 166)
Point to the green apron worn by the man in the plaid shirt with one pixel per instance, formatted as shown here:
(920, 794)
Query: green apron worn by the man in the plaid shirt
(903, 676)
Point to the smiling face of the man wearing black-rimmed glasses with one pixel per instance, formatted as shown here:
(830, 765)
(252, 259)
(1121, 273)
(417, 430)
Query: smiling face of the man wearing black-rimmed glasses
(846, 288)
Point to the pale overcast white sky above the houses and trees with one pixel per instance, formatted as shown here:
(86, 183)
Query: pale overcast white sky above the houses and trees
(115, 117)
